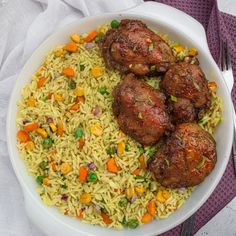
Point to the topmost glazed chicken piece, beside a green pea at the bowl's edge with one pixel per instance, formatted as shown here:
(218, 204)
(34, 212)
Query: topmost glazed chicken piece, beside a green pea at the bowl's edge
(132, 47)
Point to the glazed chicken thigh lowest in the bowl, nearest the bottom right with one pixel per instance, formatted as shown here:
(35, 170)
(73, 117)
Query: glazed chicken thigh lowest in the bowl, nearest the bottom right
(187, 157)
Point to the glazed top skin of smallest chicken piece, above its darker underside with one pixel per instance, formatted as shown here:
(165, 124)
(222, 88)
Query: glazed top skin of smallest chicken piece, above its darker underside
(188, 81)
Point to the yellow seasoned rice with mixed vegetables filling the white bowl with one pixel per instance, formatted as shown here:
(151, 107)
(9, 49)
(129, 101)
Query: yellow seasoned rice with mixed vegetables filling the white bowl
(64, 191)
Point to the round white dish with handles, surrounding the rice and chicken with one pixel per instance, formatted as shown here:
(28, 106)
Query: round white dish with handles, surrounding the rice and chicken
(179, 27)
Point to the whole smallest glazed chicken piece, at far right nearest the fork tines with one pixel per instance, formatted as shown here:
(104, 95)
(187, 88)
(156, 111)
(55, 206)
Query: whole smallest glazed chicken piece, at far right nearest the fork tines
(187, 81)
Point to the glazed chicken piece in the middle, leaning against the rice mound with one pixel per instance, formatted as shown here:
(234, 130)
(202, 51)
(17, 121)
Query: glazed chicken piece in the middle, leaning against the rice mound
(140, 110)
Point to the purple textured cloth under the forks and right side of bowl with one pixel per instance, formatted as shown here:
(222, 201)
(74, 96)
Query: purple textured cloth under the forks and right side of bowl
(217, 25)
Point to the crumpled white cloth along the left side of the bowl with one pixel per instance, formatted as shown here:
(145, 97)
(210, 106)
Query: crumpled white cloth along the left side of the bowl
(24, 25)
